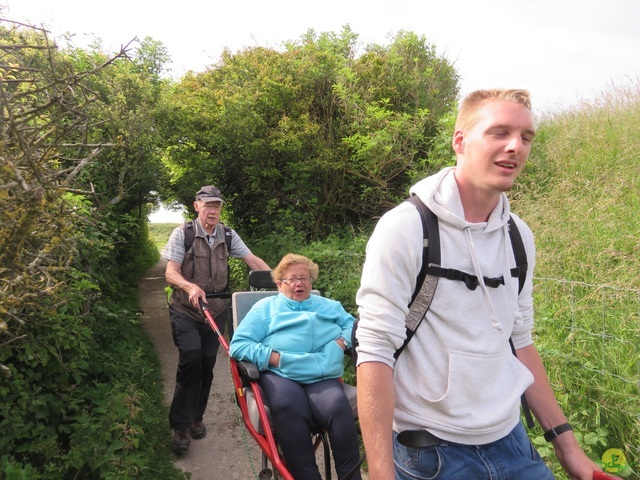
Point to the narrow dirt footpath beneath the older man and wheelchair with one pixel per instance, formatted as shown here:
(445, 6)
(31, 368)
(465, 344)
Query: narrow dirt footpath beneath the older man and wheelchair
(228, 451)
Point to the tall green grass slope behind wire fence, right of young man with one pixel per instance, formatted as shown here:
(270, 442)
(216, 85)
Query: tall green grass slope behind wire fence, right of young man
(580, 194)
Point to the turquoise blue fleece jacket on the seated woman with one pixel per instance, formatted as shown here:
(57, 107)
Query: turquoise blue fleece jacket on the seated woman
(304, 333)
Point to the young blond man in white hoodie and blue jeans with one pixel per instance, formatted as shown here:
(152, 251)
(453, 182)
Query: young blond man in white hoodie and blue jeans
(455, 390)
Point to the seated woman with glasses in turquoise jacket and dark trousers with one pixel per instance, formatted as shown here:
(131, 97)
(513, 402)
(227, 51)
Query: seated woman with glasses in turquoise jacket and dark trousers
(297, 340)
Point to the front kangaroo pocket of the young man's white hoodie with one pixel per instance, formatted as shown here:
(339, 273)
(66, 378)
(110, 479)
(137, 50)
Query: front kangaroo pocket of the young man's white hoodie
(482, 393)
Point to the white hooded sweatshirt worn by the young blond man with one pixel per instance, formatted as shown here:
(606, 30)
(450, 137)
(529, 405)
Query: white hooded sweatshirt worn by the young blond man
(457, 377)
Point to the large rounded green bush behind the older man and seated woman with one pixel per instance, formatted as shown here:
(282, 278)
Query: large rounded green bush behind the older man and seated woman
(311, 137)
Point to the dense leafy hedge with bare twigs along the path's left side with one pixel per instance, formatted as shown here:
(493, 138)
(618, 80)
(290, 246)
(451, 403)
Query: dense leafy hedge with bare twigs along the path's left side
(77, 372)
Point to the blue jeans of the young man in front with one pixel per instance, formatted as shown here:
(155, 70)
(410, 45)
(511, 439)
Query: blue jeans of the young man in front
(510, 458)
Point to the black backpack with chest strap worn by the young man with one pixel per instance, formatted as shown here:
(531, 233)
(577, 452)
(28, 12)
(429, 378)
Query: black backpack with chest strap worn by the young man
(431, 271)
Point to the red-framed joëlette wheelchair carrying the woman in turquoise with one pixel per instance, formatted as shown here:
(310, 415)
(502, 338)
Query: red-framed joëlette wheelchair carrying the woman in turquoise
(249, 397)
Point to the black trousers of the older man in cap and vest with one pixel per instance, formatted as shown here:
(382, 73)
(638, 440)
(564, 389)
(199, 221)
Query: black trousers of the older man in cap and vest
(197, 349)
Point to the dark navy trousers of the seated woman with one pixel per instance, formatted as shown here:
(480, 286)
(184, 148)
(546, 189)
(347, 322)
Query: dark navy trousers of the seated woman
(296, 408)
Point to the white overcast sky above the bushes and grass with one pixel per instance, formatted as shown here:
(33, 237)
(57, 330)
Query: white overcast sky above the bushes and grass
(562, 51)
